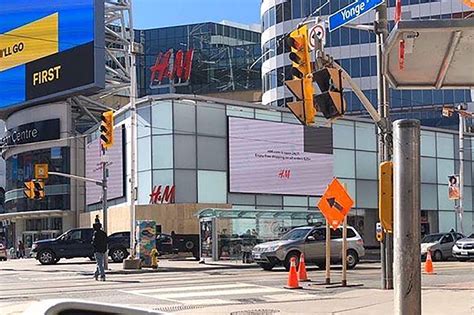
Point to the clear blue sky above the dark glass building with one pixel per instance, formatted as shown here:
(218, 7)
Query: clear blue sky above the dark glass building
(161, 13)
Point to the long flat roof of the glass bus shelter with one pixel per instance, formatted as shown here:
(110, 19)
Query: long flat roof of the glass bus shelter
(259, 213)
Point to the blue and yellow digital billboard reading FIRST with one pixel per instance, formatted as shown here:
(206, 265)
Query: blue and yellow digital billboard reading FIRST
(50, 49)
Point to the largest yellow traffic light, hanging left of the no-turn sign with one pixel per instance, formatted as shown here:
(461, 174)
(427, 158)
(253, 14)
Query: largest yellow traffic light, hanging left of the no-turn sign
(302, 84)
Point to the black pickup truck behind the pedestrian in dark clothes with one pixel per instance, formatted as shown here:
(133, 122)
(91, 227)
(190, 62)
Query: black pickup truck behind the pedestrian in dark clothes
(77, 243)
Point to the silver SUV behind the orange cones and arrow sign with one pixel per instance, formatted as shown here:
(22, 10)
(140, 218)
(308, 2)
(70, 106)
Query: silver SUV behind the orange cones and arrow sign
(311, 241)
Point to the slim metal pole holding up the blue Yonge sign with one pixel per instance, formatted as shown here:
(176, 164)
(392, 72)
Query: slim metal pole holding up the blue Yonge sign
(381, 30)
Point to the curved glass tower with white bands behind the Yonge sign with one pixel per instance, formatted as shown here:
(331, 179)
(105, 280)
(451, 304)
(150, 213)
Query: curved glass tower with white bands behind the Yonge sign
(358, 60)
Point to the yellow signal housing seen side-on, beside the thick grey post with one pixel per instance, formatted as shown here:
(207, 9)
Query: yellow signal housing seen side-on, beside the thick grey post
(386, 195)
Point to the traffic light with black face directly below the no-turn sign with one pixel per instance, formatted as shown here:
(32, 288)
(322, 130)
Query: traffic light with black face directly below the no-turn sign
(331, 100)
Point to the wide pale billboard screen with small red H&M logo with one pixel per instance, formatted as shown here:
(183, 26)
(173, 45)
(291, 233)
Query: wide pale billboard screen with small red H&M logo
(278, 158)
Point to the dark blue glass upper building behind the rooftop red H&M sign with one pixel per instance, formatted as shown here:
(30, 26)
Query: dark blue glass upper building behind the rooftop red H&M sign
(222, 58)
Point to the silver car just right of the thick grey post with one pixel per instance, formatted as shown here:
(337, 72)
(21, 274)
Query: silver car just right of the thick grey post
(440, 245)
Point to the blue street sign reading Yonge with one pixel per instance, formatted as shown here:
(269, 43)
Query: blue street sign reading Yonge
(351, 12)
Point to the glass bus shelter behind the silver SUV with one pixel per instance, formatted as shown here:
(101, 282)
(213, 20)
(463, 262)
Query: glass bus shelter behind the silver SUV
(227, 234)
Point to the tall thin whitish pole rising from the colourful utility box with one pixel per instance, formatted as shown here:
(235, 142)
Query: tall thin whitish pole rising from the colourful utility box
(133, 134)
